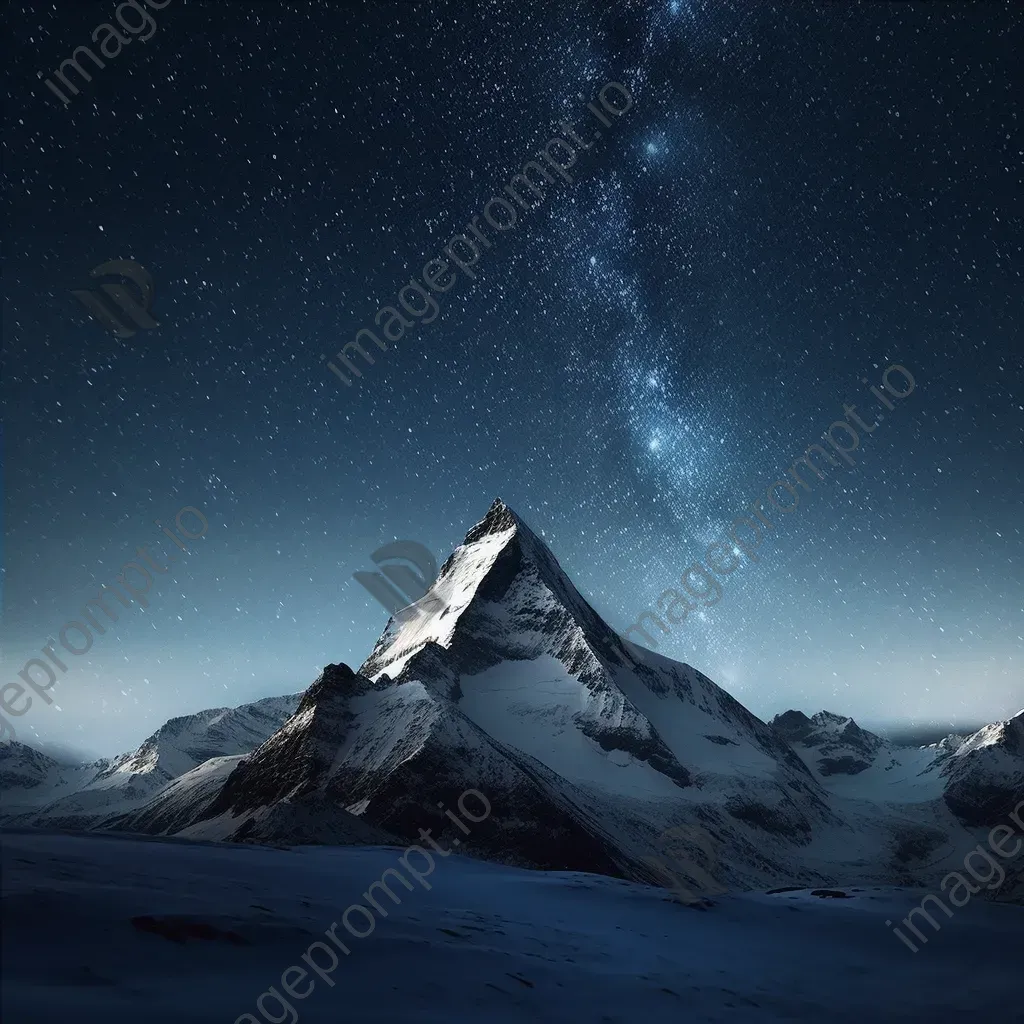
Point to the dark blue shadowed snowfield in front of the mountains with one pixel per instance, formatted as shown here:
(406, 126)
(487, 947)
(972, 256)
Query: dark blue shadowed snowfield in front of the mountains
(486, 944)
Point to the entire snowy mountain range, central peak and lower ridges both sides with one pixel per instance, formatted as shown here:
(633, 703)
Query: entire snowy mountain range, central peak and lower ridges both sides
(589, 749)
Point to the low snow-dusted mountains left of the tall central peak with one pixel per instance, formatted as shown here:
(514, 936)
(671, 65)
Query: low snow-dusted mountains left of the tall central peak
(39, 791)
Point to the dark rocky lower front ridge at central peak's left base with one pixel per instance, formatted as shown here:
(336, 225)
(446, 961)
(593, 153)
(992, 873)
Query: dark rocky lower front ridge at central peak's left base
(392, 753)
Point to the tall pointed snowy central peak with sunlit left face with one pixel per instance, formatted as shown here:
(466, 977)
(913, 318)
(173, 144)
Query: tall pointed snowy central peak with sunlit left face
(514, 686)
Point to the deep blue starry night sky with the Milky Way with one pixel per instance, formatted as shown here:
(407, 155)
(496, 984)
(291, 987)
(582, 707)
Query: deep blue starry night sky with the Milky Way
(801, 196)
